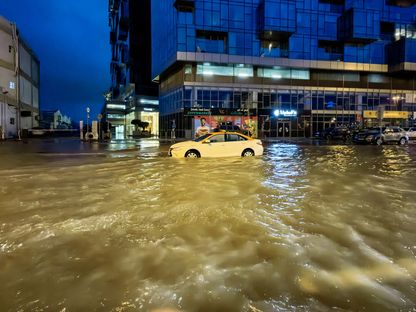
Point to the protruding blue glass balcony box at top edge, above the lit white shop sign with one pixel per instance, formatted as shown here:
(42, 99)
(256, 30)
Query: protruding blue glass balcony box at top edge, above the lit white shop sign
(276, 18)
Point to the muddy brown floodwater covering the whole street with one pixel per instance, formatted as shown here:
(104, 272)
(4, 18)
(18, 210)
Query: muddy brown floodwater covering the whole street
(122, 227)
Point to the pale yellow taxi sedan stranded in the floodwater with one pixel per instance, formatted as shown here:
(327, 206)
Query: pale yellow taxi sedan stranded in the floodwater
(218, 144)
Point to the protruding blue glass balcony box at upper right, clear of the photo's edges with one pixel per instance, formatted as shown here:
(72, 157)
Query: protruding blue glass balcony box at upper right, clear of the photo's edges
(359, 26)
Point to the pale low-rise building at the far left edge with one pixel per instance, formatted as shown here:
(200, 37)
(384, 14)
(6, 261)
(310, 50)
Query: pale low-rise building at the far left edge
(19, 82)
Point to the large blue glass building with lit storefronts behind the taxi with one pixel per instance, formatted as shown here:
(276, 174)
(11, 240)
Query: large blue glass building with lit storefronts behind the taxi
(284, 67)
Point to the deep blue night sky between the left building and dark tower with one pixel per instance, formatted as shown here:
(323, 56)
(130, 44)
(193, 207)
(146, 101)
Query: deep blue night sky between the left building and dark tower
(71, 40)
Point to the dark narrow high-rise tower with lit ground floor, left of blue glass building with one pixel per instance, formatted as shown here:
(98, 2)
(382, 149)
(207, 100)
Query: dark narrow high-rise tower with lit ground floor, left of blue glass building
(132, 94)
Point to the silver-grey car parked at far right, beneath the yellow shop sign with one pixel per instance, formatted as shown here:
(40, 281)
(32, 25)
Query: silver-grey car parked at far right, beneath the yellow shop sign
(379, 135)
